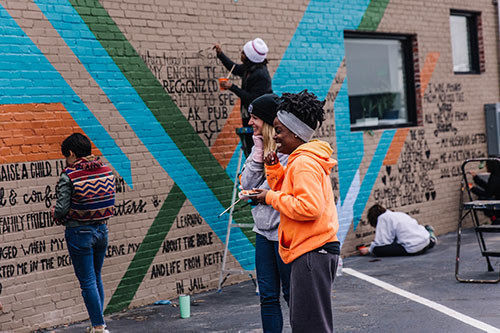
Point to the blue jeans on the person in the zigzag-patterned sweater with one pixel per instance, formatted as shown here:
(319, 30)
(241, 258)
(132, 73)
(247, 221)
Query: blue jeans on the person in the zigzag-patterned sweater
(87, 248)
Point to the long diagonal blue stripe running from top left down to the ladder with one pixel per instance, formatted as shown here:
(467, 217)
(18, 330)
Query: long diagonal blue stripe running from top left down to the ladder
(100, 66)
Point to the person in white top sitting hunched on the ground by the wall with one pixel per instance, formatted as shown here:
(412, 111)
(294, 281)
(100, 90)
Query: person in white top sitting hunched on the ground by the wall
(397, 234)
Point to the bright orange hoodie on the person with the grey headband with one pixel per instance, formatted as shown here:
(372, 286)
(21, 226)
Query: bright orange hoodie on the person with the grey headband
(302, 193)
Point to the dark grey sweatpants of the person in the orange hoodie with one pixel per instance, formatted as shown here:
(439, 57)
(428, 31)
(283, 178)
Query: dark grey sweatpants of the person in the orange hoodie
(311, 282)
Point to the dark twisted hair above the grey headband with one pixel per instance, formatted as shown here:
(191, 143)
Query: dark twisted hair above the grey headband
(306, 106)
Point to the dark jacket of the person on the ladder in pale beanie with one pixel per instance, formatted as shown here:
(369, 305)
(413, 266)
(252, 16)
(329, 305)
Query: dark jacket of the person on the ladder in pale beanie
(256, 81)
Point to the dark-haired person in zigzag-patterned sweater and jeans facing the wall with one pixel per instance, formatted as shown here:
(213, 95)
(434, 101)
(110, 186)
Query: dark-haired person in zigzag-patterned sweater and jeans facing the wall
(85, 202)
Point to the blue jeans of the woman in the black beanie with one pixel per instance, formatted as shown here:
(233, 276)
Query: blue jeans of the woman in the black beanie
(272, 273)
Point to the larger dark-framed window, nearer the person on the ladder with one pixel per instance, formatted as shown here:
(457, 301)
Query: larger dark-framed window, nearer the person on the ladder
(380, 80)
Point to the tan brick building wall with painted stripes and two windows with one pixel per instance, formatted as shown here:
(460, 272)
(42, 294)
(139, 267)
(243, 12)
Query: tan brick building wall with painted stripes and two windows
(405, 84)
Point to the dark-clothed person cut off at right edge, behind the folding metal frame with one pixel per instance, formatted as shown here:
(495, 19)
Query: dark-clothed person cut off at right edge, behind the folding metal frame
(489, 189)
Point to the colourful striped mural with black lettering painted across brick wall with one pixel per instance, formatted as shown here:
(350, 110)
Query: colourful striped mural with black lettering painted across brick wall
(168, 131)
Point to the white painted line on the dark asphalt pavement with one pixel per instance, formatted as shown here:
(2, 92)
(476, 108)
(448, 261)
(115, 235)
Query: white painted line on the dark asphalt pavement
(433, 305)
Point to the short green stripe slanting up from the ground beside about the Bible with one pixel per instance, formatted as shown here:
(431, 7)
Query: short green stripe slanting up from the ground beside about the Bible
(144, 256)
